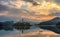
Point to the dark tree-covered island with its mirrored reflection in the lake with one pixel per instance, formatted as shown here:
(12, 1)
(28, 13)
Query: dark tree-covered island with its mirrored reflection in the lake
(22, 26)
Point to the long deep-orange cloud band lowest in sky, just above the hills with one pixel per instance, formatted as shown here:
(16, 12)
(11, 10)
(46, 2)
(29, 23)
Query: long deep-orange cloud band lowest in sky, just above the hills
(43, 18)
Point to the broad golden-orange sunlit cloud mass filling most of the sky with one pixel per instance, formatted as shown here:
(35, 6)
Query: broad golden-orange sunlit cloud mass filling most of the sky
(39, 12)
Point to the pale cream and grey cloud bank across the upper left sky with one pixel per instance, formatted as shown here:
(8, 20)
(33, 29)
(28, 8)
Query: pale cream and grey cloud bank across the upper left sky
(16, 3)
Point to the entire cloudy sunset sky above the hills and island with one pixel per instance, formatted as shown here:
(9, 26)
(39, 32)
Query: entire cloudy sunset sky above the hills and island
(33, 10)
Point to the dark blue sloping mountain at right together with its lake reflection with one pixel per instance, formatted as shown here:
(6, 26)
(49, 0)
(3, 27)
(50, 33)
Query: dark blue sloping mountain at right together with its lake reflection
(48, 25)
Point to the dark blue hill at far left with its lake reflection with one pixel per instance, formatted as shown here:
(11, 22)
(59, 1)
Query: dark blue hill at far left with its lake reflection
(7, 25)
